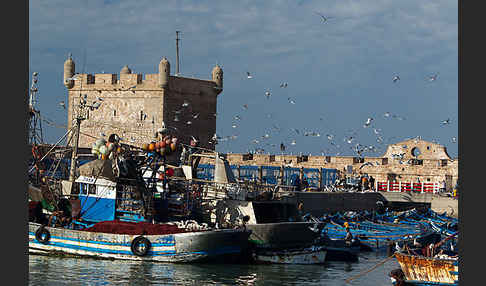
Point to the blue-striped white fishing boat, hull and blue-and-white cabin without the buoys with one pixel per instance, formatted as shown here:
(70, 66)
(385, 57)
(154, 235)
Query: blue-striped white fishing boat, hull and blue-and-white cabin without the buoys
(117, 219)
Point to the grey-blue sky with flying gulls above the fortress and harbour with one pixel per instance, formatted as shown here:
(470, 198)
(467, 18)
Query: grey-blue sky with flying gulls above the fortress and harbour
(338, 72)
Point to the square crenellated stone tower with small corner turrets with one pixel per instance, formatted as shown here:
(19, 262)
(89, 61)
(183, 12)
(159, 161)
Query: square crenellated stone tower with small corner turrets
(135, 106)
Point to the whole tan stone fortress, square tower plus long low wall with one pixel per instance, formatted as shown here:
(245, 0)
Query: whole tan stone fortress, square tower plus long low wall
(134, 107)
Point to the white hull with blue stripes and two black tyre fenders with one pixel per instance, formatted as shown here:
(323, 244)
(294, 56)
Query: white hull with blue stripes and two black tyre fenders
(178, 248)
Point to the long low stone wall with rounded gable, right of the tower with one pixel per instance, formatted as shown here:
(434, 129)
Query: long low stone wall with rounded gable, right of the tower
(433, 165)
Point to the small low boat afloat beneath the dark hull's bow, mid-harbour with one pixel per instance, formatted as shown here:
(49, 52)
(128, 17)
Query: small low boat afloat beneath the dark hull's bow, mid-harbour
(311, 255)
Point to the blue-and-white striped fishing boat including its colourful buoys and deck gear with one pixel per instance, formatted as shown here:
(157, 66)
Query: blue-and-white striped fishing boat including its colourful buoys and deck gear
(121, 214)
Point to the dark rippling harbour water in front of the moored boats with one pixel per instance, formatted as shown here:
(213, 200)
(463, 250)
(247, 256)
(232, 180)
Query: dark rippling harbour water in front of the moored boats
(50, 270)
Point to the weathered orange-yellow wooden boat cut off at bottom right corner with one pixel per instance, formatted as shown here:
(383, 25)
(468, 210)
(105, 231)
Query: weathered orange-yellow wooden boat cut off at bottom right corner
(420, 270)
